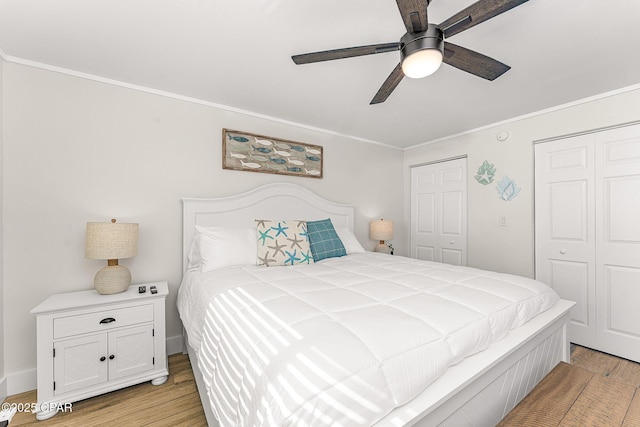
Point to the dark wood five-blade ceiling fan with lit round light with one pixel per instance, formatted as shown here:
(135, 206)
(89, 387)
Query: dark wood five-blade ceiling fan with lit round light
(423, 48)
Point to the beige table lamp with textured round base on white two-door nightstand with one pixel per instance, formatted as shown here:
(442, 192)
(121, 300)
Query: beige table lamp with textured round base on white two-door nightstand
(111, 241)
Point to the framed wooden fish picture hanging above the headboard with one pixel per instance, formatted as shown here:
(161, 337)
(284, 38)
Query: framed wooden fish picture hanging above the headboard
(249, 152)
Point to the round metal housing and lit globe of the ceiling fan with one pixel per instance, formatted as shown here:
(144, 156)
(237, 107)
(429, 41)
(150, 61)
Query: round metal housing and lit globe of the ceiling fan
(422, 53)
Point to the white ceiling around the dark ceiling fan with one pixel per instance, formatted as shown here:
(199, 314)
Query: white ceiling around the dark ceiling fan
(237, 53)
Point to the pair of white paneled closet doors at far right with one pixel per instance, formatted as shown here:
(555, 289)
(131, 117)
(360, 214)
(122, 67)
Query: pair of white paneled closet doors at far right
(587, 209)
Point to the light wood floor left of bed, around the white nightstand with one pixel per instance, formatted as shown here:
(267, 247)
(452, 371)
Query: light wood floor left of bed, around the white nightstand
(174, 403)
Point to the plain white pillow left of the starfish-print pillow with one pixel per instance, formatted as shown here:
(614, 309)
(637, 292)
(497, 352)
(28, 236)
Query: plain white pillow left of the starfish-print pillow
(223, 247)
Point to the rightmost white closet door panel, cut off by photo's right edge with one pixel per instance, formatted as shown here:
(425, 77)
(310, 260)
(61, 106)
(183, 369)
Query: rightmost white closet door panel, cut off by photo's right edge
(618, 241)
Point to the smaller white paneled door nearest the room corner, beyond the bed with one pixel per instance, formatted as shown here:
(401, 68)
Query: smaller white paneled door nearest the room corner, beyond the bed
(439, 212)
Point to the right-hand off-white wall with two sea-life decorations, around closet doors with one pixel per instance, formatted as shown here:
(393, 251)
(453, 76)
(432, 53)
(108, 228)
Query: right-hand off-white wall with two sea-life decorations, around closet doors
(510, 249)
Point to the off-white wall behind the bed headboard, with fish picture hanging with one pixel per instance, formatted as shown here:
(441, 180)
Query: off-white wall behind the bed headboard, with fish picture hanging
(76, 150)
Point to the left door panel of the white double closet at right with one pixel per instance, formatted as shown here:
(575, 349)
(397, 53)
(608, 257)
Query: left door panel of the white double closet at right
(565, 228)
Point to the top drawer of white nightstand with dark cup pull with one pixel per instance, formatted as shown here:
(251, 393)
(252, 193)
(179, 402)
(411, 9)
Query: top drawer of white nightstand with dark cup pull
(101, 321)
